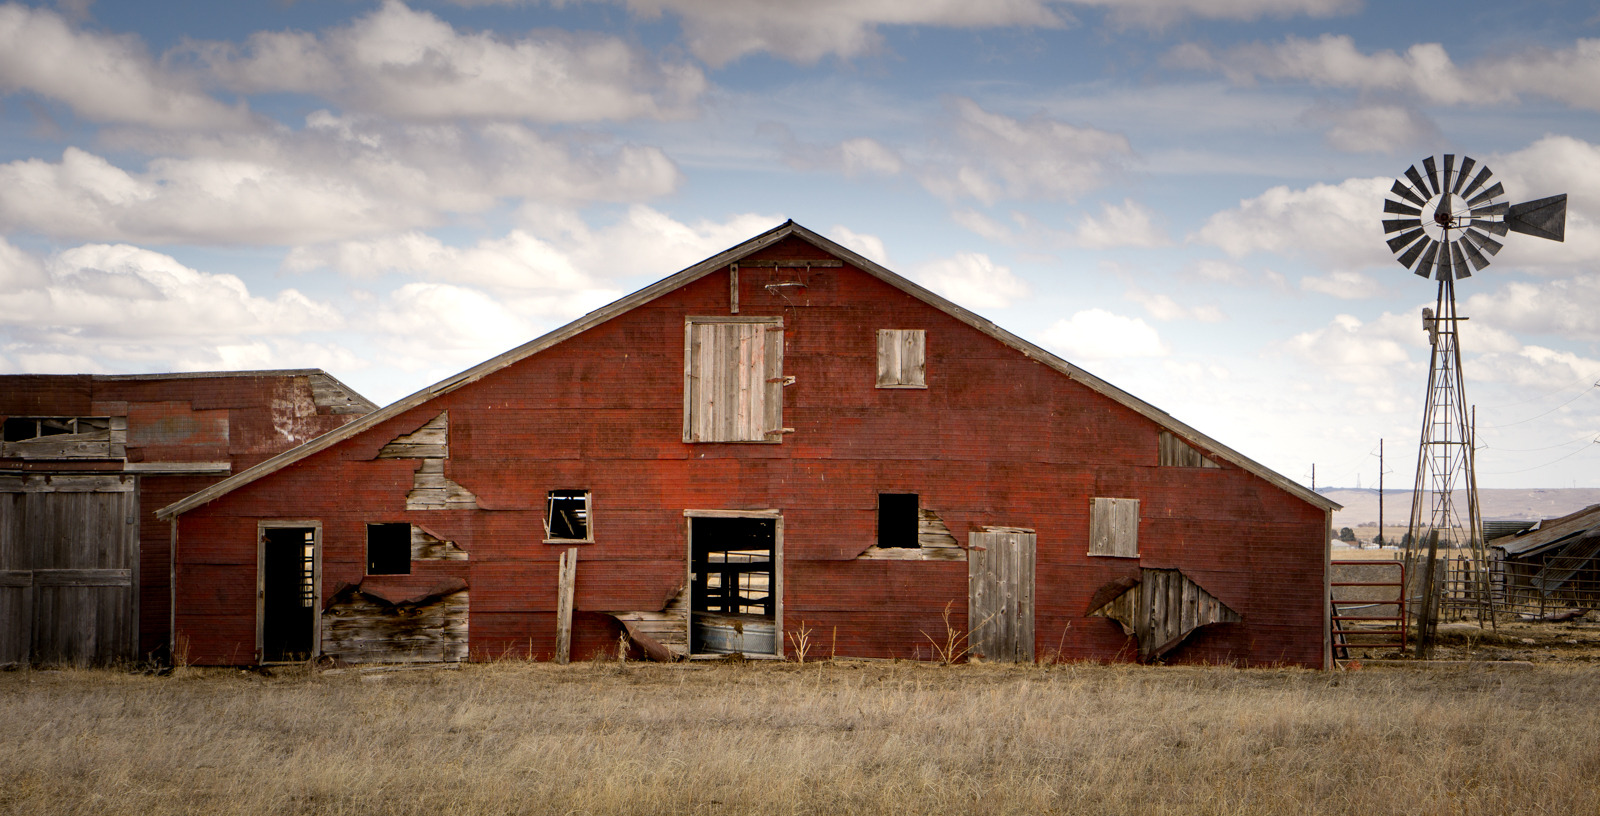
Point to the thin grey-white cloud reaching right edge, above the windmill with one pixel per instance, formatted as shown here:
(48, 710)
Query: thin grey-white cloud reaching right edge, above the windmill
(1425, 71)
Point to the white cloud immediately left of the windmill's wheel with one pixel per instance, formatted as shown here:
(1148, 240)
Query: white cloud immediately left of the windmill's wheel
(1335, 226)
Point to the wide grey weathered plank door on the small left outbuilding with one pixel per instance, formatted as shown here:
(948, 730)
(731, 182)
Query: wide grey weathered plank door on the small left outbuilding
(70, 551)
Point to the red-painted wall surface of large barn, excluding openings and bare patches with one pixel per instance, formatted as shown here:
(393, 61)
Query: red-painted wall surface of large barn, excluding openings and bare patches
(996, 439)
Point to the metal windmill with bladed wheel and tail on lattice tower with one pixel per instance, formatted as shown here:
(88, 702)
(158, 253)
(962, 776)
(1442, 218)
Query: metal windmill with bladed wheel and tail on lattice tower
(1446, 226)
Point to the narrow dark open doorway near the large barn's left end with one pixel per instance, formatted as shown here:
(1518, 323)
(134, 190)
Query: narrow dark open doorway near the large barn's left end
(287, 594)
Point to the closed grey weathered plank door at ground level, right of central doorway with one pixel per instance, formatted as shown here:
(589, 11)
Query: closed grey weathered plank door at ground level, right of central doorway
(1001, 594)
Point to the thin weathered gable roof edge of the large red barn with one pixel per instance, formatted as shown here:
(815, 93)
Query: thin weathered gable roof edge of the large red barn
(714, 265)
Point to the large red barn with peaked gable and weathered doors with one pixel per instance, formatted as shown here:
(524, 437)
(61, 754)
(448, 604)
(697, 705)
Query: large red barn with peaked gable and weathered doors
(785, 444)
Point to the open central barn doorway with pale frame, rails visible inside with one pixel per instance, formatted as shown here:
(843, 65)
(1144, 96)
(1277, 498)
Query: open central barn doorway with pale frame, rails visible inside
(735, 583)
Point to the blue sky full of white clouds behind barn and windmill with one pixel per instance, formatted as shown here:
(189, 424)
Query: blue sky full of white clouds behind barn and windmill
(1183, 198)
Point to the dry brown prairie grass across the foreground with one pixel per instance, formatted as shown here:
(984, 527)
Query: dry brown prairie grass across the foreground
(820, 738)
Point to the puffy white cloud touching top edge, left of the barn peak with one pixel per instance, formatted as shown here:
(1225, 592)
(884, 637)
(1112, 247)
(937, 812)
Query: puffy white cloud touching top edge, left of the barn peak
(412, 65)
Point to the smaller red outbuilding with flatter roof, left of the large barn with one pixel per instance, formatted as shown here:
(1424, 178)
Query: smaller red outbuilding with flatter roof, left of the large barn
(84, 462)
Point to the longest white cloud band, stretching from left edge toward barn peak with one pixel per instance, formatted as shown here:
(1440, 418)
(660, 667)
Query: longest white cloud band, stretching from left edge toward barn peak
(340, 177)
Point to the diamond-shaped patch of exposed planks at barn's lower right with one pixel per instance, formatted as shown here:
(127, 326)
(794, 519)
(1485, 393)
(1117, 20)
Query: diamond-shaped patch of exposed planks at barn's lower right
(1164, 609)
